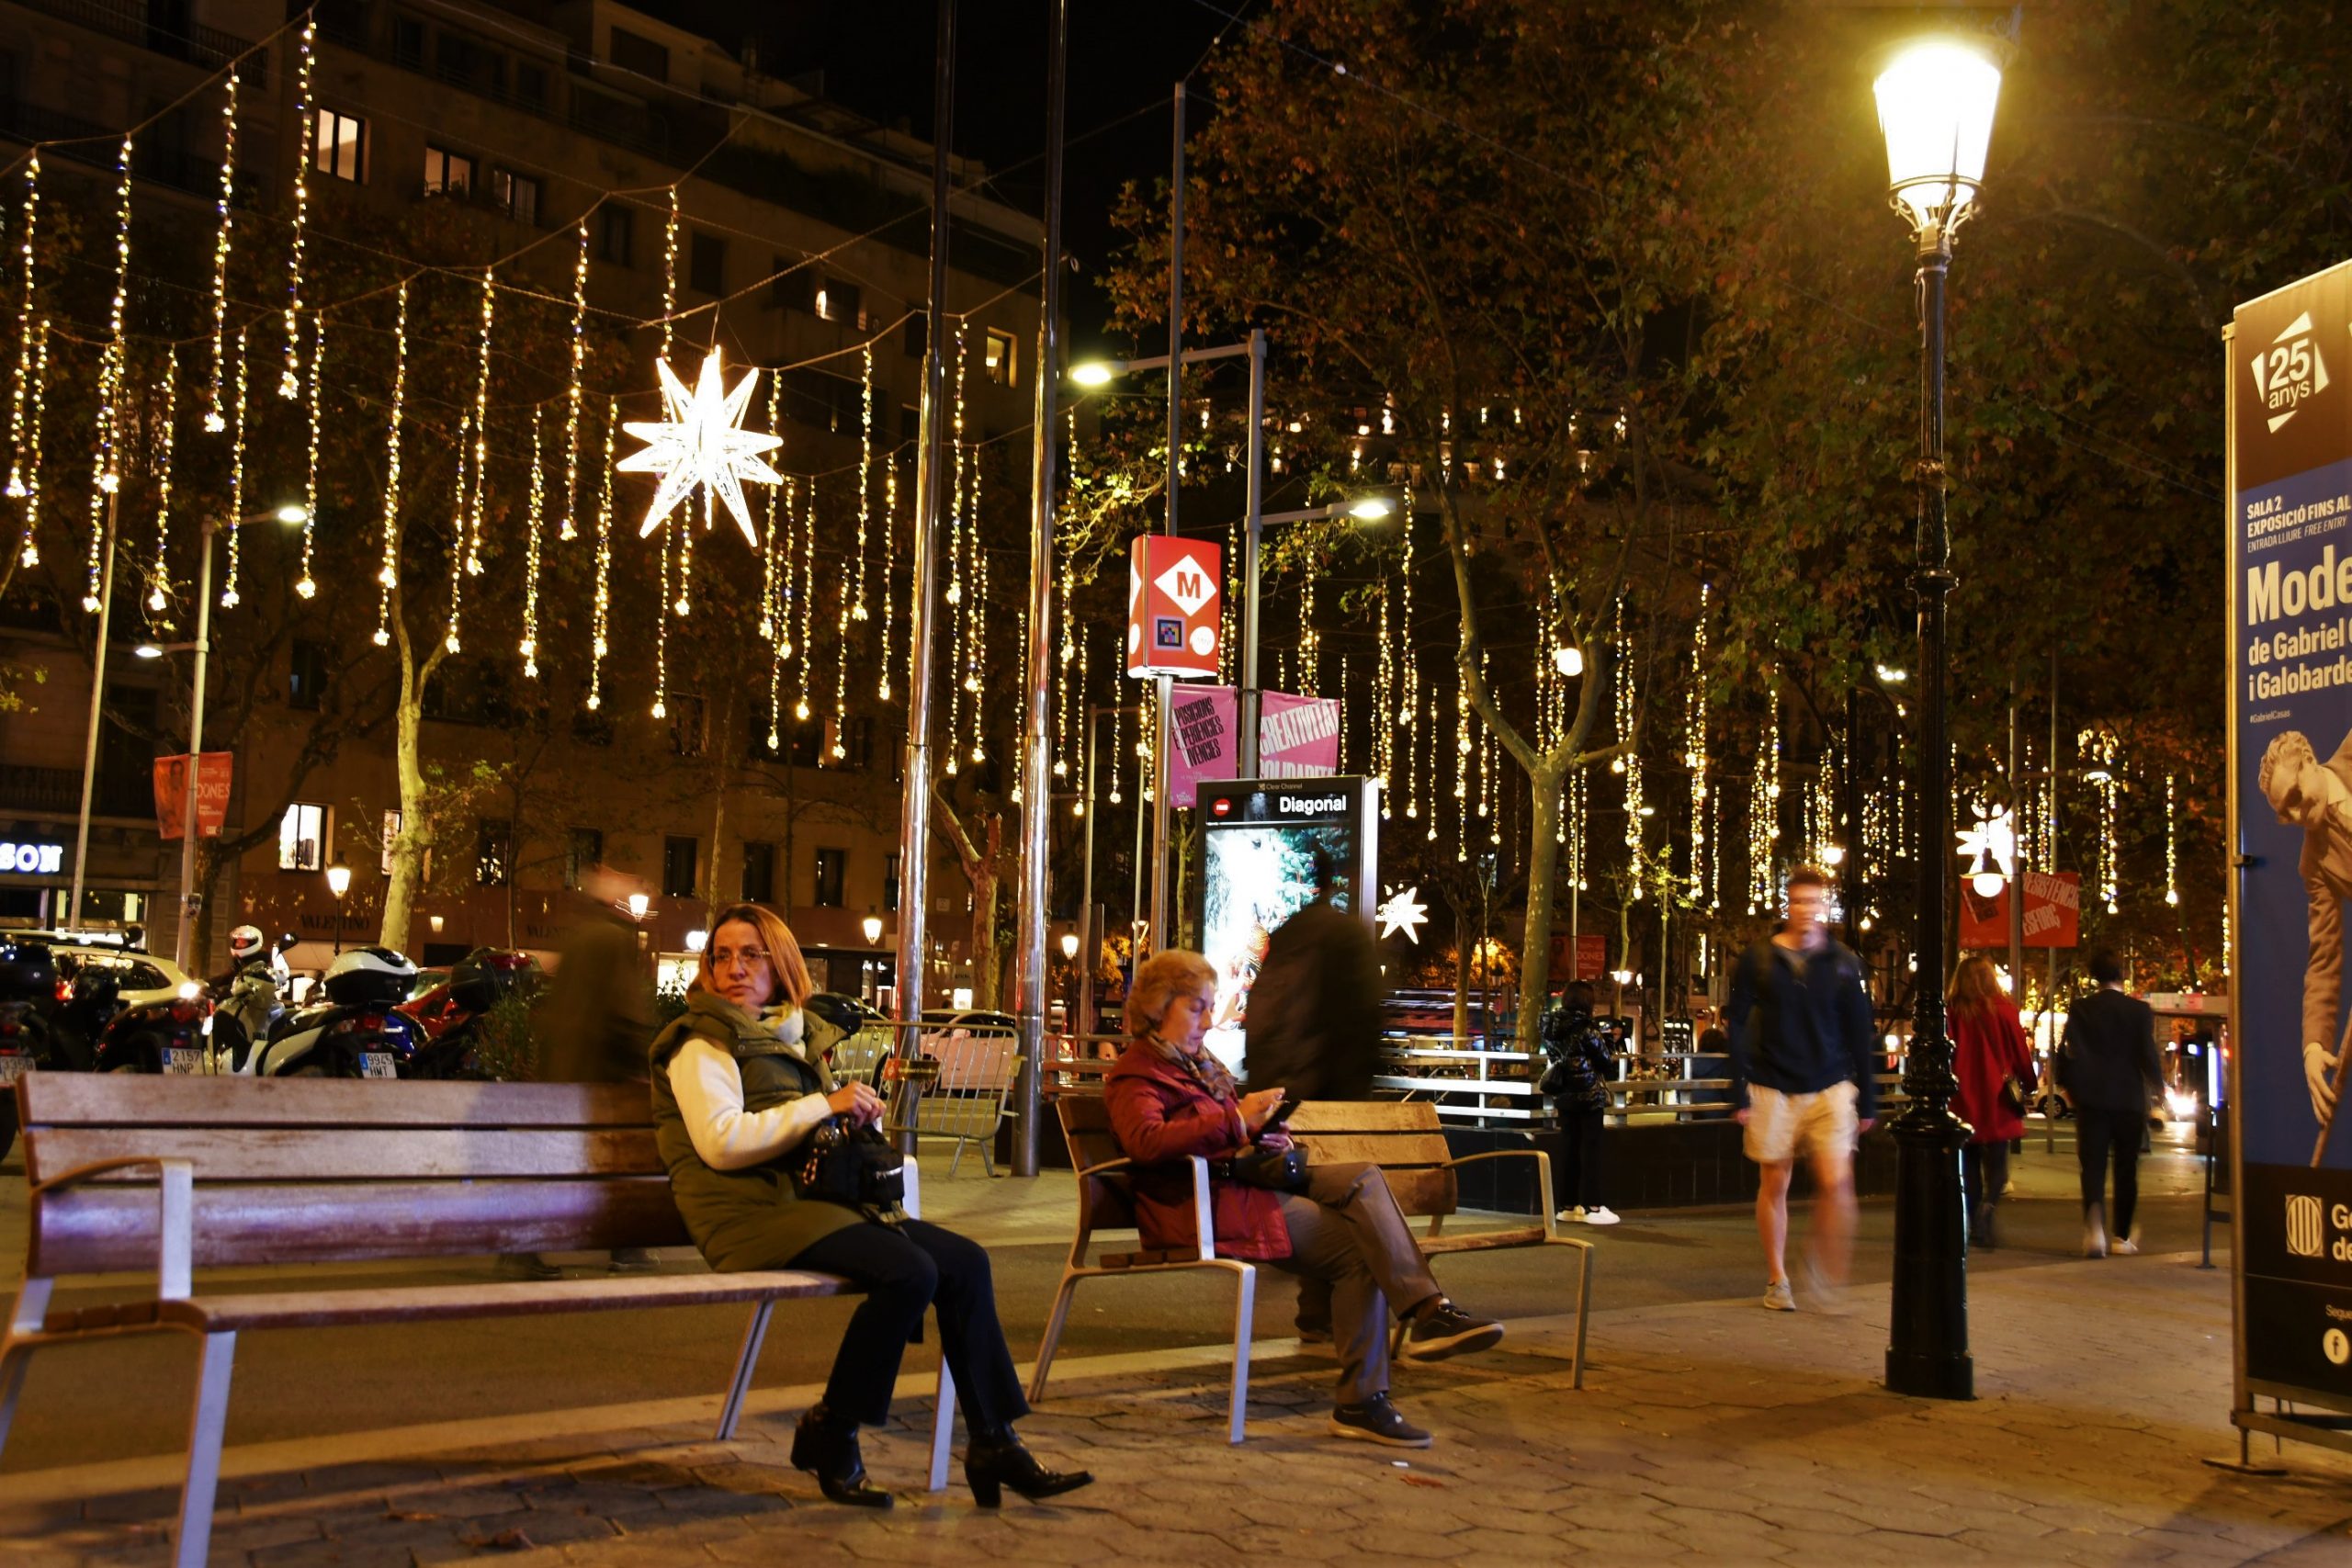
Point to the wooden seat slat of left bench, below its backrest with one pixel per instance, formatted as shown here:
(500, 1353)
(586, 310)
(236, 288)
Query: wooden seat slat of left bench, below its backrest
(490, 1299)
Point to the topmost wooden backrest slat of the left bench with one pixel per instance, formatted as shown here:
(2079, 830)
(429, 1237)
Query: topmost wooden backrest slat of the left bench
(128, 1099)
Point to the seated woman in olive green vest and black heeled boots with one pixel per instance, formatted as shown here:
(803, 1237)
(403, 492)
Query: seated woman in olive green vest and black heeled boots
(740, 1083)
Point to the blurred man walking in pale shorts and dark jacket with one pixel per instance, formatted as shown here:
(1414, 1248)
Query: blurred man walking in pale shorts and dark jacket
(1803, 1083)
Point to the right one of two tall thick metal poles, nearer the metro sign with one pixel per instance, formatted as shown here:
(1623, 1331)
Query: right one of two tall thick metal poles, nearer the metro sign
(1038, 770)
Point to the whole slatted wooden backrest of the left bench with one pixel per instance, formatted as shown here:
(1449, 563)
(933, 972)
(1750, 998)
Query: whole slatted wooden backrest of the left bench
(342, 1172)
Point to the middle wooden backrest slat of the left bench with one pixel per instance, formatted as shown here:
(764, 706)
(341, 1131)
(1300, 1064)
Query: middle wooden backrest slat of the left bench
(347, 1155)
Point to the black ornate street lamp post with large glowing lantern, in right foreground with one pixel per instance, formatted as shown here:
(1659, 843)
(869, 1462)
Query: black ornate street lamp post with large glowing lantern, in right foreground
(1937, 102)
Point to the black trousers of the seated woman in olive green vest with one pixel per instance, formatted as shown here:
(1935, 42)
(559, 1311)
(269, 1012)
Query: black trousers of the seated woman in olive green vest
(907, 1271)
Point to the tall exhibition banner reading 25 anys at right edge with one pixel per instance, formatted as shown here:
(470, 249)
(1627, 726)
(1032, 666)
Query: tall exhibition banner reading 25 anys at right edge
(2292, 824)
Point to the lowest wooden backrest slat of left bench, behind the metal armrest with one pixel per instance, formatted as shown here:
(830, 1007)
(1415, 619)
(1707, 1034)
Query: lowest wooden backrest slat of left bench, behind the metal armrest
(102, 1228)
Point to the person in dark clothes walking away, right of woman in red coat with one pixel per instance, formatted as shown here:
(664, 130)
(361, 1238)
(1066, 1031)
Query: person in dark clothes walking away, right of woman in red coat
(2109, 1068)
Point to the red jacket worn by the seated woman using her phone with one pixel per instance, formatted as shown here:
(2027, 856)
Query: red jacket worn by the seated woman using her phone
(1163, 1115)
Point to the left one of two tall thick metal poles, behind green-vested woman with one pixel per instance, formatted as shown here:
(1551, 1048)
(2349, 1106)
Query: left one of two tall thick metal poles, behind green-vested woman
(916, 819)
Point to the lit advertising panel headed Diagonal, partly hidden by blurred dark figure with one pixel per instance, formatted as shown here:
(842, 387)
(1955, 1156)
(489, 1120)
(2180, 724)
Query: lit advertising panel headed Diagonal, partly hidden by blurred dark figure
(1255, 871)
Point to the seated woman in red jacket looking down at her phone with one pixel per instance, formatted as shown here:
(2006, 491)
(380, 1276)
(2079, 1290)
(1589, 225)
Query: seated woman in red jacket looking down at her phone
(1170, 1099)
